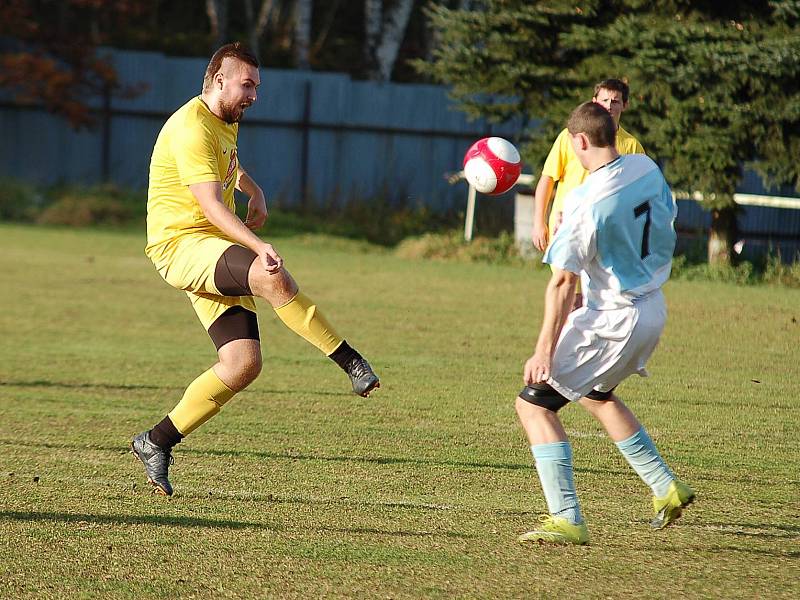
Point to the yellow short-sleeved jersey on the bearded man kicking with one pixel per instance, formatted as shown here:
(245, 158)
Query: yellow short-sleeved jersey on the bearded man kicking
(194, 146)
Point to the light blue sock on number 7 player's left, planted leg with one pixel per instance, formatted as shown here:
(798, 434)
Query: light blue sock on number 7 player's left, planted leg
(554, 465)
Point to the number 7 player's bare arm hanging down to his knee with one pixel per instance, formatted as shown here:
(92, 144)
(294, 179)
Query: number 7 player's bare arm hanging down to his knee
(558, 299)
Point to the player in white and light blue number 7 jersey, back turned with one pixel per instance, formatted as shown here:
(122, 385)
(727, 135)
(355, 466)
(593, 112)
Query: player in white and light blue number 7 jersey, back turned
(618, 232)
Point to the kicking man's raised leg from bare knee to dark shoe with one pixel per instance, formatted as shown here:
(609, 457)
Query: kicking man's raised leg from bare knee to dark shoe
(300, 314)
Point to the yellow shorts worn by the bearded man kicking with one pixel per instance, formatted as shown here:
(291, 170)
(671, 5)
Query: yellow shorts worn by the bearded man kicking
(189, 263)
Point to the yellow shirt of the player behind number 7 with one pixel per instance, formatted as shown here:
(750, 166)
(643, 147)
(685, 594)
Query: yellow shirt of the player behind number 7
(563, 166)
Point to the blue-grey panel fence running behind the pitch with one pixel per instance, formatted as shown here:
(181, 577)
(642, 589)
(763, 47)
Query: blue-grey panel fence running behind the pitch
(320, 137)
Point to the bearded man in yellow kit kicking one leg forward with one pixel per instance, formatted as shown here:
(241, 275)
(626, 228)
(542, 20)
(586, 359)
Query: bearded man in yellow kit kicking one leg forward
(199, 245)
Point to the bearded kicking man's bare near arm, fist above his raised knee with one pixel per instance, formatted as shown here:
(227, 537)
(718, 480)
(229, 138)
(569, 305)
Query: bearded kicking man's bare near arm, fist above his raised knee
(209, 196)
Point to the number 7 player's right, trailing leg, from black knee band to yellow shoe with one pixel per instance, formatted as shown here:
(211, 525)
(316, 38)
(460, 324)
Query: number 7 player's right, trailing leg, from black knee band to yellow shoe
(670, 495)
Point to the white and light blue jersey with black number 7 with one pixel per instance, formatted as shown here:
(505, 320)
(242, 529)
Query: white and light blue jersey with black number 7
(618, 228)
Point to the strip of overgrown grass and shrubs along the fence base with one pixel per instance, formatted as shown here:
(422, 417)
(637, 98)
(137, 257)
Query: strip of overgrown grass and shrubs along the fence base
(414, 231)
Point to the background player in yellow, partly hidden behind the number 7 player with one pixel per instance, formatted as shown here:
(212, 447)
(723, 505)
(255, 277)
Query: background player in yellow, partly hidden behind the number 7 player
(563, 168)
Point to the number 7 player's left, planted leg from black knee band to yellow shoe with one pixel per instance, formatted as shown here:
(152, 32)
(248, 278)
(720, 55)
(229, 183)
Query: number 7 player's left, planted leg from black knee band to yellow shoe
(537, 408)
